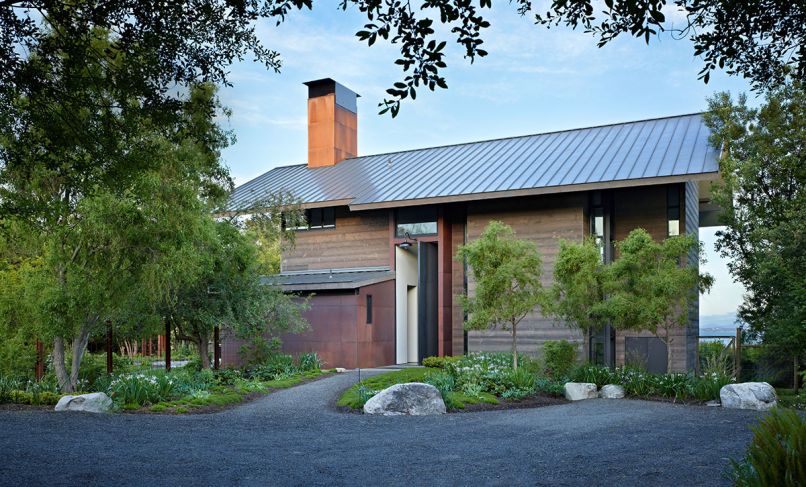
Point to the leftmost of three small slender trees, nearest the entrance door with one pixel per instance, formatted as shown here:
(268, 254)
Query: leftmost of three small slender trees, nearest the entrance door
(506, 272)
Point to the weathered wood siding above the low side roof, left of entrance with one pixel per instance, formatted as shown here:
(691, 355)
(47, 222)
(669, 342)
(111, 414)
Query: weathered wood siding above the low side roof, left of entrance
(358, 240)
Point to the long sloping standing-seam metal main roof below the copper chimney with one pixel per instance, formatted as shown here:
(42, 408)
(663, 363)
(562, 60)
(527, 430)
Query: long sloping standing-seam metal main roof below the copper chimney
(672, 148)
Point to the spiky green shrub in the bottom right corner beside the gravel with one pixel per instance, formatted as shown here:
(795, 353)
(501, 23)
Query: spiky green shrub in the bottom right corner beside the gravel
(777, 453)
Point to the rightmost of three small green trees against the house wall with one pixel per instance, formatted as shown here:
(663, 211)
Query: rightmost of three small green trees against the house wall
(647, 288)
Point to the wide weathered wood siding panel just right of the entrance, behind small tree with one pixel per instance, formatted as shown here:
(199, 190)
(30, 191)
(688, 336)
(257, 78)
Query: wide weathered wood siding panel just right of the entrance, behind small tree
(544, 221)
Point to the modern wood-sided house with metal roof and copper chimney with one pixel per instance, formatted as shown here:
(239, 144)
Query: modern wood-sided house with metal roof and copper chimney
(378, 252)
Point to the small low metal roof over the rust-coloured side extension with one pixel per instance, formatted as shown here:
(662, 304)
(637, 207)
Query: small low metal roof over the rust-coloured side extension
(329, 279)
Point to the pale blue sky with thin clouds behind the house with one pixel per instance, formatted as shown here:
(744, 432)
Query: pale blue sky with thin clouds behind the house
(533, 80)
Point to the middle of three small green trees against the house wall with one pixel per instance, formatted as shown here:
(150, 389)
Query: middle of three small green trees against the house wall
(577, 295)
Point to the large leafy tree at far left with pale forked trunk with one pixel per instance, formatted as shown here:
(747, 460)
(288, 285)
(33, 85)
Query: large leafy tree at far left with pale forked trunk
(98, 199)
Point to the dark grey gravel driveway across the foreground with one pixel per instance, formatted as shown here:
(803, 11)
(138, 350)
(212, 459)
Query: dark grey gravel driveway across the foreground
(296, 436)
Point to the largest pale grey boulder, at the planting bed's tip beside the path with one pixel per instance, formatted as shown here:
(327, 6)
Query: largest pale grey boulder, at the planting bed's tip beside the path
(413, 399)
